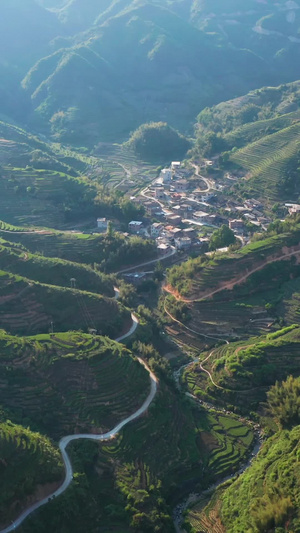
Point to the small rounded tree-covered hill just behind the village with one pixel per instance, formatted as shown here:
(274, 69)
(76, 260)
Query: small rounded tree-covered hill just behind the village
(158, 142)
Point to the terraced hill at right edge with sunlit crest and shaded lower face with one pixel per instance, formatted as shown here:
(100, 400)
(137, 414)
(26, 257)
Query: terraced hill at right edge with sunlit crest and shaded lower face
(246, 369)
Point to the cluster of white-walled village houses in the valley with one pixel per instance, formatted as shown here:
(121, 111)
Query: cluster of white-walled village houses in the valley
(184, 205)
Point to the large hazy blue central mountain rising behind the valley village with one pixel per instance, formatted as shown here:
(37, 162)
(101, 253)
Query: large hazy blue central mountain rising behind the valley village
(107, 87)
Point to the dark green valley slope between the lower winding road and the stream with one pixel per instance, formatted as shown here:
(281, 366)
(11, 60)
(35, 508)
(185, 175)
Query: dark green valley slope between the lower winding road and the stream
(137, 478)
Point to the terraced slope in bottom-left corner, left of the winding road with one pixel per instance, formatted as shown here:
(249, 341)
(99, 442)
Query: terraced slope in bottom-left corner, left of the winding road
(29, 462)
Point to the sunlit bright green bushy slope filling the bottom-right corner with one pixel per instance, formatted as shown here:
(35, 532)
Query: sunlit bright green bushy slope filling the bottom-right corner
(266, 489)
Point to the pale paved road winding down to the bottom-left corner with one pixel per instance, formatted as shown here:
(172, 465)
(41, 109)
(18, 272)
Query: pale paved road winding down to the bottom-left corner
(65, 441)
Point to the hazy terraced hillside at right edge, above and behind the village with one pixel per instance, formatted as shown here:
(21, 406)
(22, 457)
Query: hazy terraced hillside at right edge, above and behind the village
(256, 134)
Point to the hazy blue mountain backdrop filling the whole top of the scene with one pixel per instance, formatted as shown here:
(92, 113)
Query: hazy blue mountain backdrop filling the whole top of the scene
(91, 70)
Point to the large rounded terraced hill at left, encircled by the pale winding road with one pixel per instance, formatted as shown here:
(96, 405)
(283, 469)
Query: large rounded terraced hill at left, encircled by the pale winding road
(67, 383)
